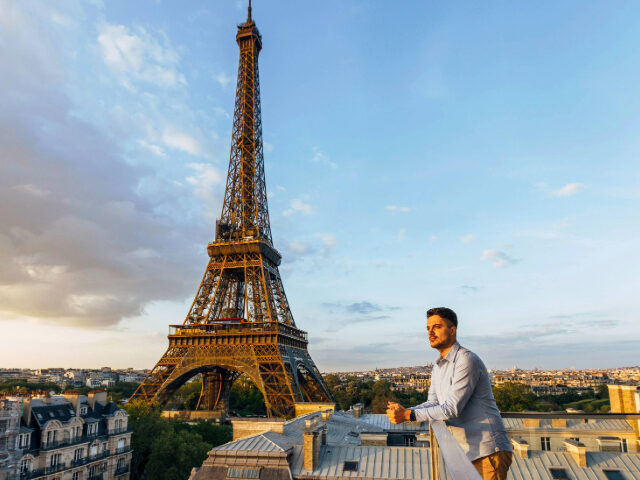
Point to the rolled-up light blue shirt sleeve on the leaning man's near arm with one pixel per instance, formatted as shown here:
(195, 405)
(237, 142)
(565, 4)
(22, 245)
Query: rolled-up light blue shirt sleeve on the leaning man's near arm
(463, 382)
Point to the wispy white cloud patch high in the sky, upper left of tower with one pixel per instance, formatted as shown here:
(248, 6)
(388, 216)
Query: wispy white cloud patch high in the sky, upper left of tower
(140, 56)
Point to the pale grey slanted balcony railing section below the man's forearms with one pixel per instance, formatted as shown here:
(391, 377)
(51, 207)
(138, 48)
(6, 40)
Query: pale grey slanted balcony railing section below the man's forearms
(446, 451)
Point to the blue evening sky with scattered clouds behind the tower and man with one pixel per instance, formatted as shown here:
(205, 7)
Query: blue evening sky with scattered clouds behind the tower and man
(476, 155)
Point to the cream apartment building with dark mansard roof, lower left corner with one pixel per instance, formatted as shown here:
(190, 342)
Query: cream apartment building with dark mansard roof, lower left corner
(71, 437)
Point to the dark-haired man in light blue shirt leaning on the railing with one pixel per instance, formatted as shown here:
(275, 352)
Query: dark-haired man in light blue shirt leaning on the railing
(460, 394)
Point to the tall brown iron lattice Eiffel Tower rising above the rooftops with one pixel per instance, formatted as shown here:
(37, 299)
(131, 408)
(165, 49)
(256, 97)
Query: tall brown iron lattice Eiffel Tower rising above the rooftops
(240, 321)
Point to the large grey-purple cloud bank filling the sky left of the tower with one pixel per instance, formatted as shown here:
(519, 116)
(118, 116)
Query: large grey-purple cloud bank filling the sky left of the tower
(78, 244)
